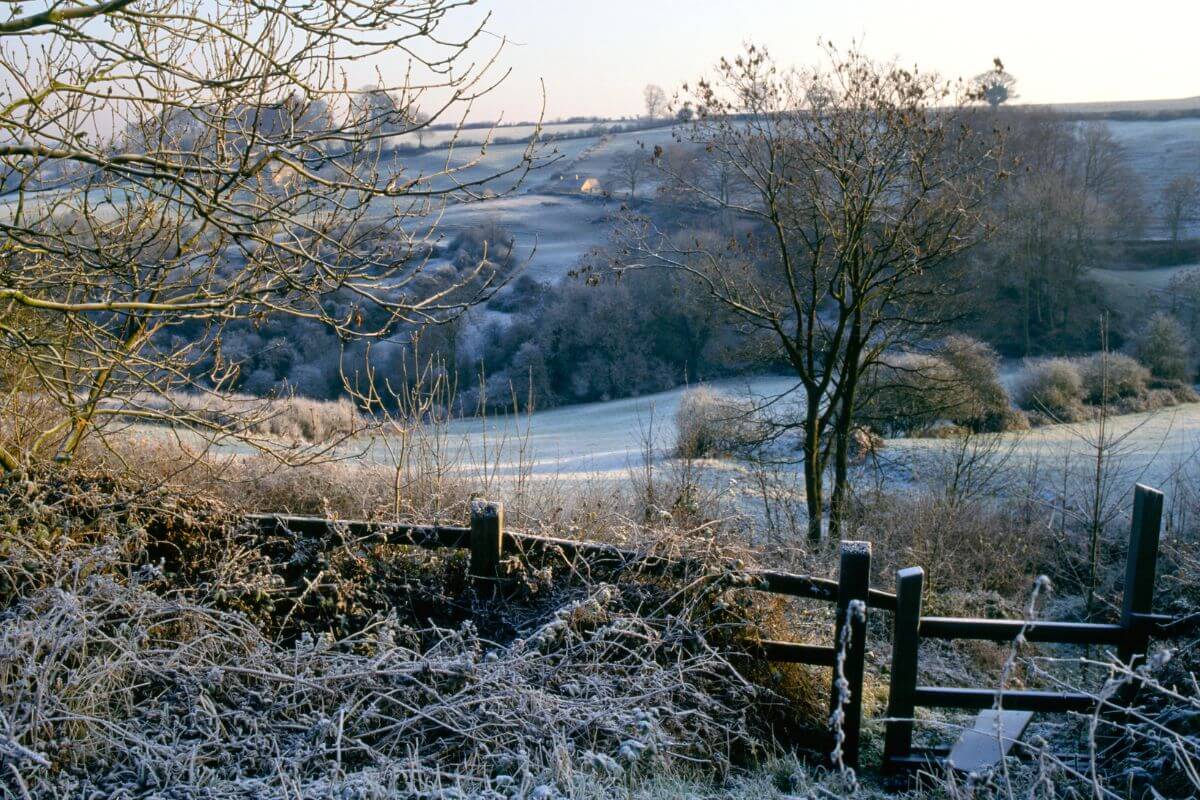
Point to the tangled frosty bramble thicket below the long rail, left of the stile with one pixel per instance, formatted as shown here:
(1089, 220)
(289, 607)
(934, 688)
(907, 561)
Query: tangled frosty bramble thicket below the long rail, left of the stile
(155, 646)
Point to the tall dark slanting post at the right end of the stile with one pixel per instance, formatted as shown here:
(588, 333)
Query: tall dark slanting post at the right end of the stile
(1141, 567)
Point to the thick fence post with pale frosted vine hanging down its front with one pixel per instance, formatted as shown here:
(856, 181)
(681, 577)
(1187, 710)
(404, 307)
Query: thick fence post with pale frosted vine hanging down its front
(847, 703)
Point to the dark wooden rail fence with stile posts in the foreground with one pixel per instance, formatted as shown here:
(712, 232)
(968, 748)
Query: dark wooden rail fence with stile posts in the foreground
(491, 544)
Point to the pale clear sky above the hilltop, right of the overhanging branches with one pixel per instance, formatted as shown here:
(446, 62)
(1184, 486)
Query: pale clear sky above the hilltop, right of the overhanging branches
(596, 58)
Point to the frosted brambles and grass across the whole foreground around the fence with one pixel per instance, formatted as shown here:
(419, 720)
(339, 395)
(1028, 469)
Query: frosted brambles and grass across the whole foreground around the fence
(157, 647)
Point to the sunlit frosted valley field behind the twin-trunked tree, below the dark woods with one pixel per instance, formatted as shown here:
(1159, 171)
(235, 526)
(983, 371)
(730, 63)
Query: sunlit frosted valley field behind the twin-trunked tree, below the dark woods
(610, 441)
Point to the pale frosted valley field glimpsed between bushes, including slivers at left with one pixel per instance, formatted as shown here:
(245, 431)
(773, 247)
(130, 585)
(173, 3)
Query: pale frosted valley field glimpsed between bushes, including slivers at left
(607, 443)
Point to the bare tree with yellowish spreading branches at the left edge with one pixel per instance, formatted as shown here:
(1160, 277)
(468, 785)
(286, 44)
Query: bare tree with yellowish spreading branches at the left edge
(172, 166)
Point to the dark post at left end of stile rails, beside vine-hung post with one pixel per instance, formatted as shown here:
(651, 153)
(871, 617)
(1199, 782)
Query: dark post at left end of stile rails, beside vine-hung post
(905, 646)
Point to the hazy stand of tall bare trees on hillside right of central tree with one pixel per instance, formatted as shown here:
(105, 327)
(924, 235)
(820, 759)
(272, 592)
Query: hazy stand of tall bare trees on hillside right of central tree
(1071, 199)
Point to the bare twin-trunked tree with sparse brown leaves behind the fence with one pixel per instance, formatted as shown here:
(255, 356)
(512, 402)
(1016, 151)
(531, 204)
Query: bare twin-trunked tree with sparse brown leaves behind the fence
(865, 182)
